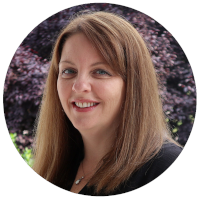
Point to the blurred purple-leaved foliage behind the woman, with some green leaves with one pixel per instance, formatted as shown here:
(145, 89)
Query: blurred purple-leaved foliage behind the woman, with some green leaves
(26, 75)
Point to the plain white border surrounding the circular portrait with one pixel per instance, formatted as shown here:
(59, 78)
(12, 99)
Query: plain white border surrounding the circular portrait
(18, 18)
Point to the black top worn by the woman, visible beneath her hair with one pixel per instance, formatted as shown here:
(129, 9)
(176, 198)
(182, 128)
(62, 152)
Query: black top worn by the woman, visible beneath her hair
(148, 172)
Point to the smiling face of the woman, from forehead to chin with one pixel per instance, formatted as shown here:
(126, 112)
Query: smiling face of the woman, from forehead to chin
(91, 94)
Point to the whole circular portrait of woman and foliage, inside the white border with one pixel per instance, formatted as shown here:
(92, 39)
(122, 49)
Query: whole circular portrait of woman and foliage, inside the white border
(99, 99)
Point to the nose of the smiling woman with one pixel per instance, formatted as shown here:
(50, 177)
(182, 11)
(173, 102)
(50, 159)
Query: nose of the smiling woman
(81, 84)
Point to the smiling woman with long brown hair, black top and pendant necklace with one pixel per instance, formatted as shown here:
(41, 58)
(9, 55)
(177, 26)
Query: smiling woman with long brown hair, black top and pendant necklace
(101, 129)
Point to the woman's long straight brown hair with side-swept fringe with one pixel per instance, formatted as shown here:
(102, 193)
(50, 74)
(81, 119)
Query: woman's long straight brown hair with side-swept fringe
(142, 130)
